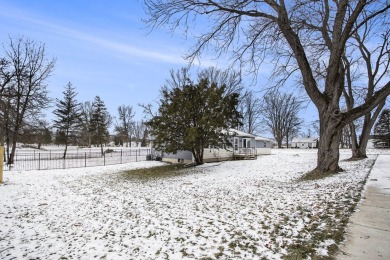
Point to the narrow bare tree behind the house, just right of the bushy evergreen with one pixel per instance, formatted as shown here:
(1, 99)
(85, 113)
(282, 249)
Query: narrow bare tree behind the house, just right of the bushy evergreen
(251, 112)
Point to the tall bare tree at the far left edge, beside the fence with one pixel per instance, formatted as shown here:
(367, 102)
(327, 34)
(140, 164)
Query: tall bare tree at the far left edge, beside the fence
(27, 95)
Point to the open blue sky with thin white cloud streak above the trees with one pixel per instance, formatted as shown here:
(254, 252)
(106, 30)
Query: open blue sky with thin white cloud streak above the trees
(102, 47)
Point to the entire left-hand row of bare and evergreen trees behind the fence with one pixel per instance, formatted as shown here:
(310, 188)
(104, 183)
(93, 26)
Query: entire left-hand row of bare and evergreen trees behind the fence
(24, 70)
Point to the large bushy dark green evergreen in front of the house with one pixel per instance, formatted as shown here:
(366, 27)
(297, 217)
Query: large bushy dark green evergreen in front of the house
(193, 117)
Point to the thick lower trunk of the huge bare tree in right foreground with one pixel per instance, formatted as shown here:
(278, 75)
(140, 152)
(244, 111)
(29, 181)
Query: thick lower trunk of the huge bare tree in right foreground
(330, 135)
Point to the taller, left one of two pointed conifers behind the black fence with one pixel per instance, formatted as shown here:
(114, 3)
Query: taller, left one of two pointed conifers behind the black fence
(68, 113)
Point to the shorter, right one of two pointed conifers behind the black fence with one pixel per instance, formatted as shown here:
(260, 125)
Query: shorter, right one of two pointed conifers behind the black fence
(99, 123)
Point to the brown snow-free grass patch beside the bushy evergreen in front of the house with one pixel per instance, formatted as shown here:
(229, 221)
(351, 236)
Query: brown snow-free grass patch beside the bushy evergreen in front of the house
(165, 171)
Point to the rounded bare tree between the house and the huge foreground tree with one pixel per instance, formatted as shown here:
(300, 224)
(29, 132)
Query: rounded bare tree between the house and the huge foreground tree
(280, 113)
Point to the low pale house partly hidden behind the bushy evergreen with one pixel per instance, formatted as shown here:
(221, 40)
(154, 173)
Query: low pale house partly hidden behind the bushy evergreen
(243, 145)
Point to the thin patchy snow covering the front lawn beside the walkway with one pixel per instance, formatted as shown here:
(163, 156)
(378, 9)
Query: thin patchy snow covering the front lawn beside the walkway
(239, 209)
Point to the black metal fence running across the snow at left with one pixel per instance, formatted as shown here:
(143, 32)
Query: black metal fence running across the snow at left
(51, 160)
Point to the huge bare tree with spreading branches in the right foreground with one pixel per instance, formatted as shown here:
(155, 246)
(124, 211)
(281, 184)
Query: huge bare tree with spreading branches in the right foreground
(308, 37)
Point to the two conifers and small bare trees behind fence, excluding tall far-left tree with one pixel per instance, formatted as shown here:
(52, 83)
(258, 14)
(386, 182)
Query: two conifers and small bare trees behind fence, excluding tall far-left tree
(88, 123)
